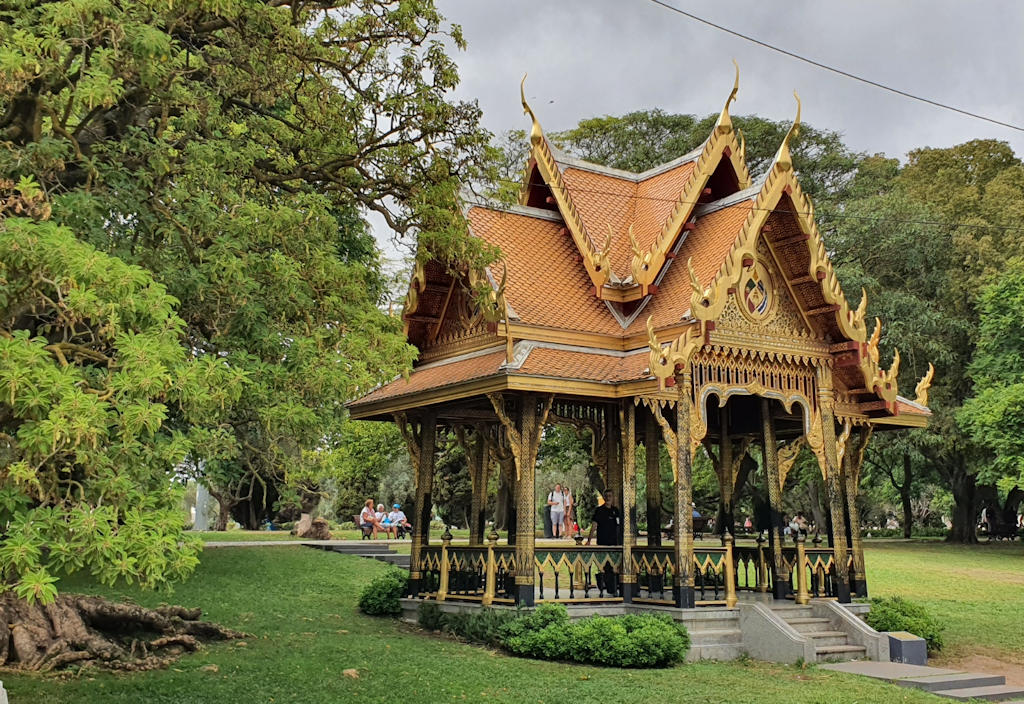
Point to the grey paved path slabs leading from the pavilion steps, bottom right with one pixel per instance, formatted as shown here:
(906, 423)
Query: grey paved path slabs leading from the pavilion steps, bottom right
(945, 683)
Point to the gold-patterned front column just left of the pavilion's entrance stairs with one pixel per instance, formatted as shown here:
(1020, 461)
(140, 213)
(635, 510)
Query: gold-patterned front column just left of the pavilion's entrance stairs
(682, 580)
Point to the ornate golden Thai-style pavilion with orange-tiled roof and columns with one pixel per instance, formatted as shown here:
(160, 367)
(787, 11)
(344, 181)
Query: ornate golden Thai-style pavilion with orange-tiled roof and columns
(690, 304)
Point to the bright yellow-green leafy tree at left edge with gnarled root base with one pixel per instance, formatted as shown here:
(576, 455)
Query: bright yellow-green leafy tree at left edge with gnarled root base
(91, 368)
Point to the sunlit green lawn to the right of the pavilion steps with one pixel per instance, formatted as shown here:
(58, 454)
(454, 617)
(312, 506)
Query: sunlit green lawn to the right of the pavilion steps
(976, 591)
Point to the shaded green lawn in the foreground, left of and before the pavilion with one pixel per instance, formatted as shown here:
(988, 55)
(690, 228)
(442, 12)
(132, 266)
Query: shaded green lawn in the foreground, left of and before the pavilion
(300, 605)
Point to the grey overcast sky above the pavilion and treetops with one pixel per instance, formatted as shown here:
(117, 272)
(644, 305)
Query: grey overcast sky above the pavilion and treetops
(594, 58)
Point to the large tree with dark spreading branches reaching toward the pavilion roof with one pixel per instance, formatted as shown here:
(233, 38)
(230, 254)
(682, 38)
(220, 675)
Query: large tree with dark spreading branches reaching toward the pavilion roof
(232, 150)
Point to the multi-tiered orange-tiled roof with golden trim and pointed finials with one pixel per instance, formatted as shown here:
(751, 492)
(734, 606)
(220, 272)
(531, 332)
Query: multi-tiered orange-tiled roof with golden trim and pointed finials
(599, 265)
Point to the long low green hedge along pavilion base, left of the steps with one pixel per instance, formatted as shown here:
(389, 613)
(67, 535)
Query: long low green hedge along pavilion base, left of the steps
(547, 634)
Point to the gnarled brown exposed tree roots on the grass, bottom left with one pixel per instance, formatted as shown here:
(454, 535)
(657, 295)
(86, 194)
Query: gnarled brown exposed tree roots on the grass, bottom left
(89, 631)
